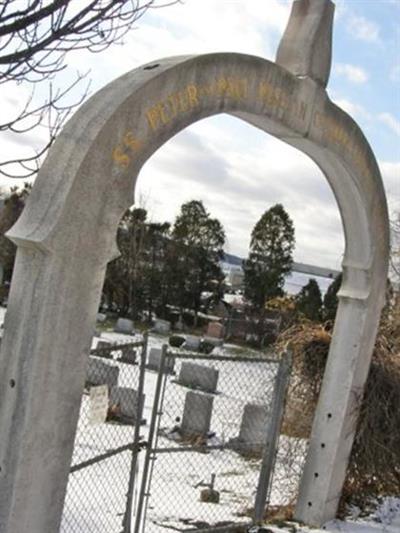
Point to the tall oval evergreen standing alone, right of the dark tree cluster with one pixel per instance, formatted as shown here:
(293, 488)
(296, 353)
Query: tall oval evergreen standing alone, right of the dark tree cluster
(270, 257)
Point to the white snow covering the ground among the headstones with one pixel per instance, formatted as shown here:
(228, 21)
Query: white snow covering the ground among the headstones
(97, 495)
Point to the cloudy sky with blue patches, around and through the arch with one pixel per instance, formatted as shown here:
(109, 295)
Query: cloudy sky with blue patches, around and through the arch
(236, 170)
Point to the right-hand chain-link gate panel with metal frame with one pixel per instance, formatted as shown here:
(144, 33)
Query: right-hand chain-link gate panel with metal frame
(212, 442)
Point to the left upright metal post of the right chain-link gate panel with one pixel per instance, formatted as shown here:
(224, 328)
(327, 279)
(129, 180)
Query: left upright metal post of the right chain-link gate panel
(150, 439)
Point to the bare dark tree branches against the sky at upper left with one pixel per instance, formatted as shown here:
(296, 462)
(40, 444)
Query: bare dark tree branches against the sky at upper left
(35, 37)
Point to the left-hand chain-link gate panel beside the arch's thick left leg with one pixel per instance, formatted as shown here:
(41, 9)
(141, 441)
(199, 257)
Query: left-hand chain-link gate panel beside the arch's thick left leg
(101, 483)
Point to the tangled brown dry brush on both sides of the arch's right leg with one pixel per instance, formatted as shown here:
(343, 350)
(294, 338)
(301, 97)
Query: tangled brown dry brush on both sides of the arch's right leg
(374, 467)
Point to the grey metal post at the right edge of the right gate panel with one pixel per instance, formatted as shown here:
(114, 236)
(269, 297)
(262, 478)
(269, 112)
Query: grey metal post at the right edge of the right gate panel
(271, 444)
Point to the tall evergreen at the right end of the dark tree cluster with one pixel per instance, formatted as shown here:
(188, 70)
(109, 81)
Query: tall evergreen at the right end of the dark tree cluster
(197, 241)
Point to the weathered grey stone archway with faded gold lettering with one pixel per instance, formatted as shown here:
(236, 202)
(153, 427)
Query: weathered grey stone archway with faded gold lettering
(66, 236)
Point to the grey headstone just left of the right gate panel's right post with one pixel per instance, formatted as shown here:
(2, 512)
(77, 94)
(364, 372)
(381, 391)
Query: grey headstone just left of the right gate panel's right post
(253, 428)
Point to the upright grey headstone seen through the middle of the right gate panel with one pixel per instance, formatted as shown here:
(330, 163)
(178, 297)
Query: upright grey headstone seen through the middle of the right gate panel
(197, 414)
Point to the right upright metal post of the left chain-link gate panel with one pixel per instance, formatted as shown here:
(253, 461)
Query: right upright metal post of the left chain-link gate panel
(127, 521)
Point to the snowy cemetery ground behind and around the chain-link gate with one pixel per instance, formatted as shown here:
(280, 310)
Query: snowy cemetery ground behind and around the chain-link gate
(178, 478)
